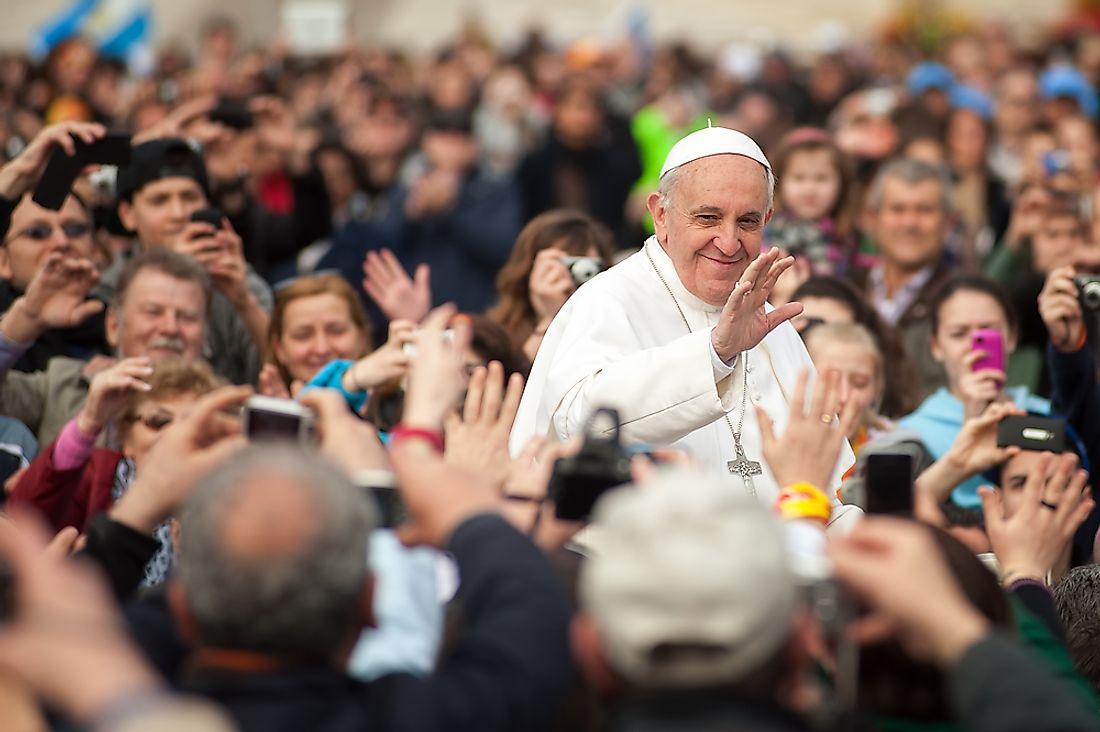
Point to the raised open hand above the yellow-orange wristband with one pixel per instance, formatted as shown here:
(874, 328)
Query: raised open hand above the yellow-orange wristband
(811, 446)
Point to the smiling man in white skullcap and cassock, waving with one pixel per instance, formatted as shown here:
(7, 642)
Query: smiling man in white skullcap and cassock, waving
(679, 338)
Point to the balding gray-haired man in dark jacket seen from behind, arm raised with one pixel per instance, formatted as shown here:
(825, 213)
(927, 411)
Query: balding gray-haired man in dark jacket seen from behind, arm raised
(273, 591)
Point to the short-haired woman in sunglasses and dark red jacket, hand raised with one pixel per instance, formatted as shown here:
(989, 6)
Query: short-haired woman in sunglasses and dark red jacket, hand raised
(72, 480)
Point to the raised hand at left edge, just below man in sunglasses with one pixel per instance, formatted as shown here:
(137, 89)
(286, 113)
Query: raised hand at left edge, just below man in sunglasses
(56, 299)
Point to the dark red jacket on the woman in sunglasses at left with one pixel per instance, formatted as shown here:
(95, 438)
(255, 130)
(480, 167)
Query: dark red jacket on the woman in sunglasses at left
(69, 498)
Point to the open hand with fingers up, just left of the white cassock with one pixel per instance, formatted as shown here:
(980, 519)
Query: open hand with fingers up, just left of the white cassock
(479, 440)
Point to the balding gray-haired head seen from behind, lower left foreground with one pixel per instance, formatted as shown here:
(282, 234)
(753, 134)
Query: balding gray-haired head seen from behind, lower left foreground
(273, 556)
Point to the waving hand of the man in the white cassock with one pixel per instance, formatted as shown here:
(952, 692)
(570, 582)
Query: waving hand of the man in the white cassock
(744, 323)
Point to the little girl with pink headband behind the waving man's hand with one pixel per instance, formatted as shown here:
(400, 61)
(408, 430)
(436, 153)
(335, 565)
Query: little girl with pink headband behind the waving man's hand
(815, 201)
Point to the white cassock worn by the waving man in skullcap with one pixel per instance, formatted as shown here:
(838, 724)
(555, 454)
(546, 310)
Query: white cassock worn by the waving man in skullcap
(621, 342)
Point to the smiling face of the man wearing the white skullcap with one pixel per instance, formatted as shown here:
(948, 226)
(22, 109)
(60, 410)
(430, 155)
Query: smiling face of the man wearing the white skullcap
(712, 225)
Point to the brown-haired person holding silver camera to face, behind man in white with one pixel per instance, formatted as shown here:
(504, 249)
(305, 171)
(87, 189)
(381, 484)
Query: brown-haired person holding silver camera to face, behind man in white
(537, 280)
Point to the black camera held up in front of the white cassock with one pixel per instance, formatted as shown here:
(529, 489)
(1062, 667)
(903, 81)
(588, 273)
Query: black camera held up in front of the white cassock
(578, 483)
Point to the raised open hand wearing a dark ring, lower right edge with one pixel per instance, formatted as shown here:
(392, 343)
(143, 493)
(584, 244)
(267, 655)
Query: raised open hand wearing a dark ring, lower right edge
(1057, 500)
